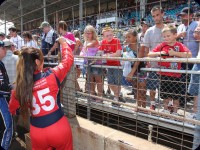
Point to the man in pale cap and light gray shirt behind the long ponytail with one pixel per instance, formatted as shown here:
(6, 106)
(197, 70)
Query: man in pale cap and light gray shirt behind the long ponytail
(10, 61)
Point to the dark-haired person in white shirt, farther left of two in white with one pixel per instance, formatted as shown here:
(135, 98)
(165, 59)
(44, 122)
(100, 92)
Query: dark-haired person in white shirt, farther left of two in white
(16, 39)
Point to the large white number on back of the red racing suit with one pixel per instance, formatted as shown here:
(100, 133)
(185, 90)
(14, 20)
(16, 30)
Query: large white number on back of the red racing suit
(43, 100)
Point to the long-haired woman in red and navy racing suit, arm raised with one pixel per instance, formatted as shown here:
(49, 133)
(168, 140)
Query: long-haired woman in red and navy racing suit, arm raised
(36, 90)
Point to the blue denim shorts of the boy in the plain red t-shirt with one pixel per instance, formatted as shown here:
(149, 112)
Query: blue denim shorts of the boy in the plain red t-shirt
(114, 76)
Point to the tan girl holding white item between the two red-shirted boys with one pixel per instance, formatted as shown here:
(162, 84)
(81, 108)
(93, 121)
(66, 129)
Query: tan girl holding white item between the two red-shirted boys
(139, 81)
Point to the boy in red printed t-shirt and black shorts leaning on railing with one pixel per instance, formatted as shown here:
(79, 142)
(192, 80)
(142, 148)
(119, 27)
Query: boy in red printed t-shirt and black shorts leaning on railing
(170, 82)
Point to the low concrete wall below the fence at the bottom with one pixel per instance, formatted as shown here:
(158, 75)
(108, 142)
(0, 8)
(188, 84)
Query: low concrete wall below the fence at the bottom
(88, 135)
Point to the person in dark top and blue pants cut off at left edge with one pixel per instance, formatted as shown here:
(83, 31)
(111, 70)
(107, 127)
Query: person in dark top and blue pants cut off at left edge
(6, 128)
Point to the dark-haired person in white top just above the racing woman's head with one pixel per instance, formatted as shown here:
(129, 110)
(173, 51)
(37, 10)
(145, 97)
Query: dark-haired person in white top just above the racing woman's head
(28, 40)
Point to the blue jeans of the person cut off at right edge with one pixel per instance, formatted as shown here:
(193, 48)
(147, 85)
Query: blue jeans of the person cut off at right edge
(193, 88)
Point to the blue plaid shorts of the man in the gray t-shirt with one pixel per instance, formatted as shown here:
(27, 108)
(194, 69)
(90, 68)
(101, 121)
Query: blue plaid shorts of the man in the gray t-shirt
(152, 81)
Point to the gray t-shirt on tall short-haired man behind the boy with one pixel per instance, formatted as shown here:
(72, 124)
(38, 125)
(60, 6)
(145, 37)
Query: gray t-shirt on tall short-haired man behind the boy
(152, 37)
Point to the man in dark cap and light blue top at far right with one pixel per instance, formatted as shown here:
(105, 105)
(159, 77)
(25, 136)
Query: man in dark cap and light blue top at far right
(187, 37)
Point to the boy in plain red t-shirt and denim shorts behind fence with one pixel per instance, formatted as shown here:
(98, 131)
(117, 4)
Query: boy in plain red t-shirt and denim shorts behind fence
(112, 48)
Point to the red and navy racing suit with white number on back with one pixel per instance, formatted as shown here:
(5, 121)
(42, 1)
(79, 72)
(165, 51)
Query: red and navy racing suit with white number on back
(49, 128)
